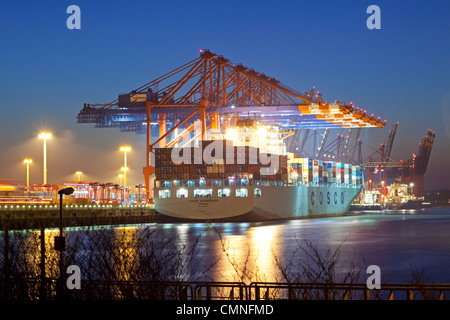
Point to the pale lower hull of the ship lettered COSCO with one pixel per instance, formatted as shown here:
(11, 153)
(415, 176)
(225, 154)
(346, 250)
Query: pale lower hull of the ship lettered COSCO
(272, 203)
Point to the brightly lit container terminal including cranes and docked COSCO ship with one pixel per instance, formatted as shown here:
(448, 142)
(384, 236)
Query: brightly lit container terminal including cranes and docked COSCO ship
(211, 101)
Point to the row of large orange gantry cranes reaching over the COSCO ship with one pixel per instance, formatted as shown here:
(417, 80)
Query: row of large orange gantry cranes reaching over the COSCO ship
(213, 92)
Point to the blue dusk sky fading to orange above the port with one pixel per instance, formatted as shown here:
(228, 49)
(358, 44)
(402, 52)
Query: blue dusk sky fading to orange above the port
(400, 72)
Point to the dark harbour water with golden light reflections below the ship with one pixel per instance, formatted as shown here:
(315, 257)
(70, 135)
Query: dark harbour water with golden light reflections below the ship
(393, 240)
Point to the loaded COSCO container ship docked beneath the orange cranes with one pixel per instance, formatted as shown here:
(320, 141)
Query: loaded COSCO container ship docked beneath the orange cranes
(246, 174)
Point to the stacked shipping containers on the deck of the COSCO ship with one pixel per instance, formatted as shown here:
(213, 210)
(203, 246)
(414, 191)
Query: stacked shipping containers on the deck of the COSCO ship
(246, 164)
